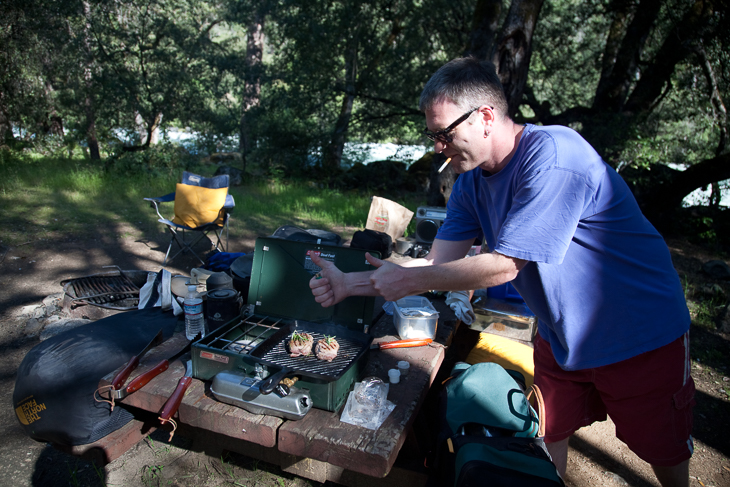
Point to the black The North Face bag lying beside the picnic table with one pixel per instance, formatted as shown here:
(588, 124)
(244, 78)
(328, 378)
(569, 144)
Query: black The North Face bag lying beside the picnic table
(54, 390)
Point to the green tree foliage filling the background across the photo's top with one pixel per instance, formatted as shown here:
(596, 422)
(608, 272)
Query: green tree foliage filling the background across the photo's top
(122, 64)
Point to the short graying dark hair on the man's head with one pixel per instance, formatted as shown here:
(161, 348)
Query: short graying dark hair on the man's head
(466, 82)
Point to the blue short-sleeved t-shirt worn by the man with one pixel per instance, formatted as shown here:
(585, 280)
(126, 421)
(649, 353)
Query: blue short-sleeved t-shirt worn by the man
(599, 278)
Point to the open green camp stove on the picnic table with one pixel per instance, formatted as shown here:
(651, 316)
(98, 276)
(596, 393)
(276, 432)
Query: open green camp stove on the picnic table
(255, 345)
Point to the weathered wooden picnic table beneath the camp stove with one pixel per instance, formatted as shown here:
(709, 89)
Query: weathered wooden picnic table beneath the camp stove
(319, 446)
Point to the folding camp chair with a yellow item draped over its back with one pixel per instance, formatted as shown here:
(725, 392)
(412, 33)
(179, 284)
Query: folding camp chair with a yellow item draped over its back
(202, 205)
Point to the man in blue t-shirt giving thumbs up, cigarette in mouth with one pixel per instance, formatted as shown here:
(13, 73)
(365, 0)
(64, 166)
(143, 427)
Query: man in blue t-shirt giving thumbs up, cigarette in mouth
(564, 228)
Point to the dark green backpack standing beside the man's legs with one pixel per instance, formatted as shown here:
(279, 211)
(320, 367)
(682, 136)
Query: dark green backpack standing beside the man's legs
(489, 434)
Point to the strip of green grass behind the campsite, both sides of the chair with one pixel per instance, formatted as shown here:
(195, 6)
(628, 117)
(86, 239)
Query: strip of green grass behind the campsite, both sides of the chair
(71, 198)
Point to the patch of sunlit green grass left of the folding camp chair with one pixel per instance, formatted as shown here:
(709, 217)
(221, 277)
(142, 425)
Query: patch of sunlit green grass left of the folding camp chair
(67, 198)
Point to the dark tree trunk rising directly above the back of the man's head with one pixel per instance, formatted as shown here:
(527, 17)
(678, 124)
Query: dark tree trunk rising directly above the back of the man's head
(514, 49)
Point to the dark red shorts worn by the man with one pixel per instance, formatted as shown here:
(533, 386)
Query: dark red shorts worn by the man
(648, 397)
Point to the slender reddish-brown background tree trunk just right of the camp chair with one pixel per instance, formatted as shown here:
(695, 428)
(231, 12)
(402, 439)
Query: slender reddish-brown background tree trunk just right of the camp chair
(252, 83)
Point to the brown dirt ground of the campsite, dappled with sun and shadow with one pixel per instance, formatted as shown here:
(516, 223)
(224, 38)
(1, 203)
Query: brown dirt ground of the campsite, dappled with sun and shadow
(32, 272)
